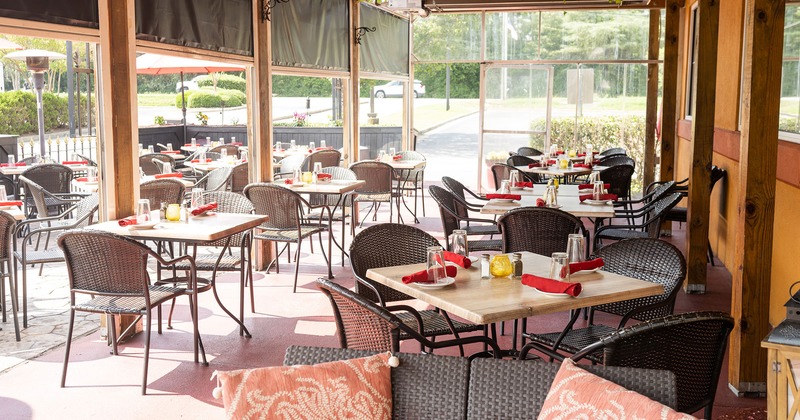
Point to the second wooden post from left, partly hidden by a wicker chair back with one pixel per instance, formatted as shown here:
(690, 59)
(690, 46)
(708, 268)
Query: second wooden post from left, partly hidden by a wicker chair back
(261, 117)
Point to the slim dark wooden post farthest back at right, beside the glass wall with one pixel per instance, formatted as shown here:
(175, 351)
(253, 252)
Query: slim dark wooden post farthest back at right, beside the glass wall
(651, 119)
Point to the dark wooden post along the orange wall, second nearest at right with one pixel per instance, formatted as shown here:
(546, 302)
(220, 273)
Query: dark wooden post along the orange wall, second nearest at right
(702, 145)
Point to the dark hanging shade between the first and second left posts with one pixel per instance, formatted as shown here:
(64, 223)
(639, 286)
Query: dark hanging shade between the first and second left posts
(225, 26)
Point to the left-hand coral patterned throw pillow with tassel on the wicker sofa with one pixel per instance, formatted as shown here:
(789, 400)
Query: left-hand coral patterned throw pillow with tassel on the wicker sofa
(347, 389)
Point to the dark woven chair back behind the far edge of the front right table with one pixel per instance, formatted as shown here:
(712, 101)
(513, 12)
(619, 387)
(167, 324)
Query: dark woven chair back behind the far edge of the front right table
(538, 229)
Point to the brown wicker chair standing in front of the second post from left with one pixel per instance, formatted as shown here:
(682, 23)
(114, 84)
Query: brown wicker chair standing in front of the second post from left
(285, 210)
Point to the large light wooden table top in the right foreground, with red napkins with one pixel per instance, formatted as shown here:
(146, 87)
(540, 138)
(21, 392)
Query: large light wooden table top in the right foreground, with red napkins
(505, 299)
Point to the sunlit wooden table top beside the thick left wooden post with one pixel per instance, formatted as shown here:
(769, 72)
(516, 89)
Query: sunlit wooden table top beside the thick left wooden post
(198, 229)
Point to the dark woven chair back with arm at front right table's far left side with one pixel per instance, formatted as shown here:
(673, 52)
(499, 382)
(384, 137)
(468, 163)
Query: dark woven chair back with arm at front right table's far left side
(387, 245)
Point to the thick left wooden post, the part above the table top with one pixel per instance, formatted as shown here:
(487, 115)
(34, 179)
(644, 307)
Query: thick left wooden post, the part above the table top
(120, 132)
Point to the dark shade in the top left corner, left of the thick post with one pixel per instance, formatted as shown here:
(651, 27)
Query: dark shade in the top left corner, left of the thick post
(71, 12)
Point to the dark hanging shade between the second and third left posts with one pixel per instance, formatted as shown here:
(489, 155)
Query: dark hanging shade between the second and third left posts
(311, 34)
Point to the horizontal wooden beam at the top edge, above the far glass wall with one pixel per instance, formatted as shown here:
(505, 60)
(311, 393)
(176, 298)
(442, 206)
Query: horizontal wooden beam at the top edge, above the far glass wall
(511, 5)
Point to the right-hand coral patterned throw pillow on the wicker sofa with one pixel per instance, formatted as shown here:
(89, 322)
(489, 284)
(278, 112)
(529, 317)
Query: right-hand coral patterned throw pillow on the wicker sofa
(577, 393)
